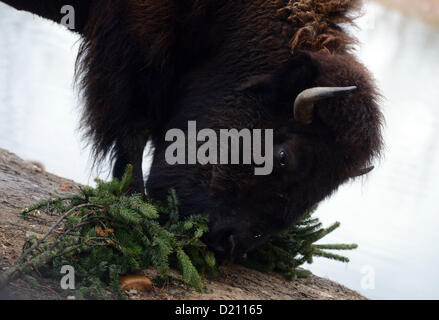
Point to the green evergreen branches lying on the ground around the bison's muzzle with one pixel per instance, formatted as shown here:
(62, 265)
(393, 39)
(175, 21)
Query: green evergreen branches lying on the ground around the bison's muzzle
(107, 233)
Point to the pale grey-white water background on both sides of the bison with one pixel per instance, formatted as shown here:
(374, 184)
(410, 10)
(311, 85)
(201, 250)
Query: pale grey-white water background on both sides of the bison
(392, 215)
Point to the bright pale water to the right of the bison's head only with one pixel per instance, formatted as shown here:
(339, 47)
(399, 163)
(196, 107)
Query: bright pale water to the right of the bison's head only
(393, 214)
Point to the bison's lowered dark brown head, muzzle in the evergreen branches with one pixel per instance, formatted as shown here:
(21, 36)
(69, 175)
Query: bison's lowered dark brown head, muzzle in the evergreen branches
(326, 125)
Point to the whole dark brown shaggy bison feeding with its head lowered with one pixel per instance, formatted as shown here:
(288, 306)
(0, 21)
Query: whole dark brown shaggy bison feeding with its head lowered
(148, 66)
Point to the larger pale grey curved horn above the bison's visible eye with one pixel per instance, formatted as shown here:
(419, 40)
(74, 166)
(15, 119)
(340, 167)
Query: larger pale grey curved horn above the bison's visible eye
(304, 104)
